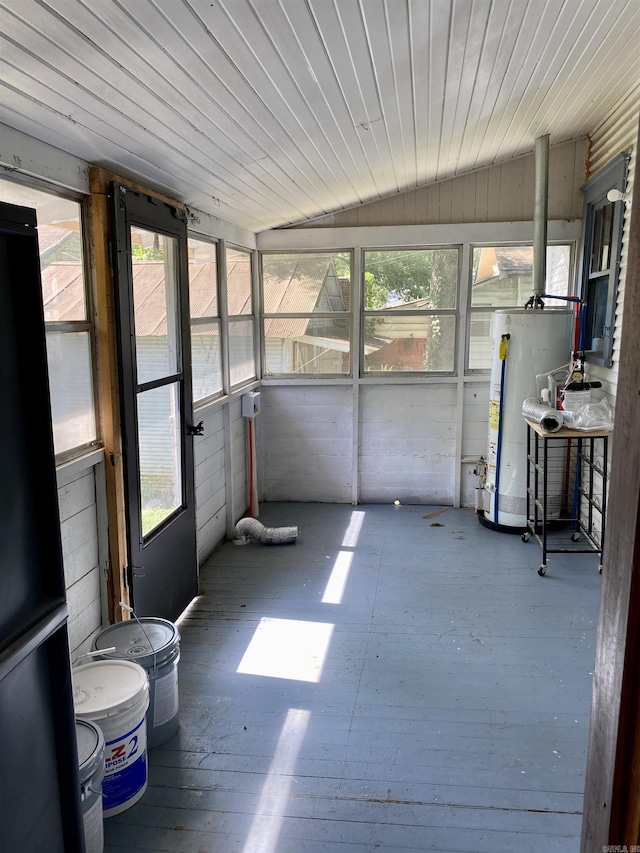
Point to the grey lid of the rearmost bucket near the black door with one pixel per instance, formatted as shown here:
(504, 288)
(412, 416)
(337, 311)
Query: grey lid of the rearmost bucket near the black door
(145, 641)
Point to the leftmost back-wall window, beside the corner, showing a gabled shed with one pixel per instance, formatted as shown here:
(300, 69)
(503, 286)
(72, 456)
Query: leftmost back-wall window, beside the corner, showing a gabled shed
(307, 320)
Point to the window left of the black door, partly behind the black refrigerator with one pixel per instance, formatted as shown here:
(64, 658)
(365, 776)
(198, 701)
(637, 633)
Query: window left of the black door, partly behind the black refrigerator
(68, 330)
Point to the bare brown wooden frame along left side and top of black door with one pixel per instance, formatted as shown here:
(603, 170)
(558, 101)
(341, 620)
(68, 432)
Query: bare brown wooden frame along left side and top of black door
(99, 230)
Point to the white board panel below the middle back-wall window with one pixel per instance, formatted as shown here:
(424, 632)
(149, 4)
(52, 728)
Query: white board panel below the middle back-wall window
(408, 444)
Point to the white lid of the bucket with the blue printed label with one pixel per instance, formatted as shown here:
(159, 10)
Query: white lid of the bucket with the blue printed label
(103, 688)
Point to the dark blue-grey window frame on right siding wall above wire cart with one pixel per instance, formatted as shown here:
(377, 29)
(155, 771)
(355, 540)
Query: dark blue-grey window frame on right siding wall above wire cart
(613, 176)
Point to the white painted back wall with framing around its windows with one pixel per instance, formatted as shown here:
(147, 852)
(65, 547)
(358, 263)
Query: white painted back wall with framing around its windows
(379, 439)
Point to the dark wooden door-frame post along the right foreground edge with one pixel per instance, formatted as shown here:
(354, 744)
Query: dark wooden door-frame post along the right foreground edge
(612, 788)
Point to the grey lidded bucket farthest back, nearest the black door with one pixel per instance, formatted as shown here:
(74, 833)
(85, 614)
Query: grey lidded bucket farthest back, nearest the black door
(153, 644)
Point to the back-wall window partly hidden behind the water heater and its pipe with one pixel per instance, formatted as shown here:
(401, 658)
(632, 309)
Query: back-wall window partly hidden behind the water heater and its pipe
(502, 277)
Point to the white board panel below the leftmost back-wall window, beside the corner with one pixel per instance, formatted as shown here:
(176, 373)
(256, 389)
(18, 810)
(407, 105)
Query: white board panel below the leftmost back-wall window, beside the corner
(306, 435)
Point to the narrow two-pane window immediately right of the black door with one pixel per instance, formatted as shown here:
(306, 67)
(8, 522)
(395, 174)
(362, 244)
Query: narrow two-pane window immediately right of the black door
(206, 365)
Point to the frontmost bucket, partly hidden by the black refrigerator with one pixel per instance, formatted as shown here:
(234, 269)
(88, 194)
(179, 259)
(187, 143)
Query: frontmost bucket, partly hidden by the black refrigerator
(90, 743)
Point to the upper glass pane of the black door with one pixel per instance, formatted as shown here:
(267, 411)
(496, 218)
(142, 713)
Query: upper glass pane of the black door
(154, 304)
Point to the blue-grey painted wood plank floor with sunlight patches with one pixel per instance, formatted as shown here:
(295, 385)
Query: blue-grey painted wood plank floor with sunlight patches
(437, 698)
